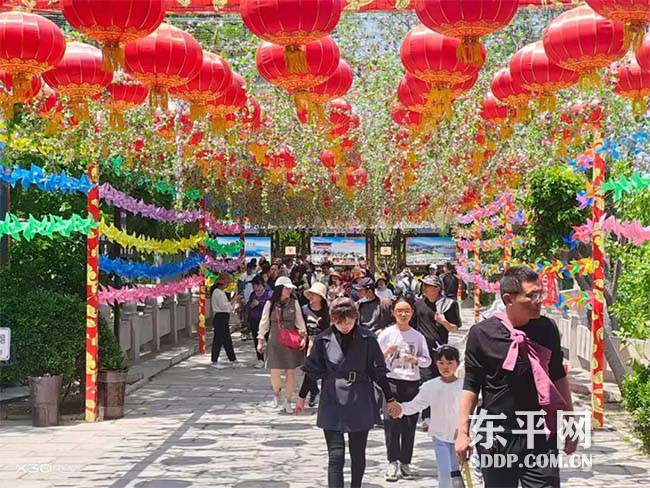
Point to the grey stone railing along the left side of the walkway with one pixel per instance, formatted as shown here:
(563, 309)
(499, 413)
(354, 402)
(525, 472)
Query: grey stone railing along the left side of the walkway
(145, 329)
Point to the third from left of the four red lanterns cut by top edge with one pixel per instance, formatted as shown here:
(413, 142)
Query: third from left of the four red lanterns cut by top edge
(468, 21)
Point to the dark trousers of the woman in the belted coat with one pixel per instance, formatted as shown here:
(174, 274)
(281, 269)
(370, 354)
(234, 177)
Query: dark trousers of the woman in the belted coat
(336, 453)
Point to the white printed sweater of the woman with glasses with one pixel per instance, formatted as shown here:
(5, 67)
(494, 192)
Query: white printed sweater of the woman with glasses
(409, 342)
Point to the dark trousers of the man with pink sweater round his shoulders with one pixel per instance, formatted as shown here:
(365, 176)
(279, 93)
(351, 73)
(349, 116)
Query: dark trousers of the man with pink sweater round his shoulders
(526, 474)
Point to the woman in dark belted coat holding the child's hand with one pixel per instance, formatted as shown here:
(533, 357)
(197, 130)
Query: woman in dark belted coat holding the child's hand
(348, 360)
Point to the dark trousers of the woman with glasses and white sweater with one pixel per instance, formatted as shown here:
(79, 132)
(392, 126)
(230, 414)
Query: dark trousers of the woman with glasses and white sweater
(400, 433)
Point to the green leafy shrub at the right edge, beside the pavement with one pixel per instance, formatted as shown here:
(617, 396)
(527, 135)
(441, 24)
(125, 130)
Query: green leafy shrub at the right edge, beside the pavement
(636, 400)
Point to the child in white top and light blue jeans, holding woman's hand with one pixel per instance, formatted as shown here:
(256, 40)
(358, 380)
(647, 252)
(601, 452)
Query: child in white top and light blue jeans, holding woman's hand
(442, 395)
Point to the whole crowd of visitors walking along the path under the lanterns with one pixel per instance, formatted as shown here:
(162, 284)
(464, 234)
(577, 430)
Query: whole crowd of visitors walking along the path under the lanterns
(376, 351)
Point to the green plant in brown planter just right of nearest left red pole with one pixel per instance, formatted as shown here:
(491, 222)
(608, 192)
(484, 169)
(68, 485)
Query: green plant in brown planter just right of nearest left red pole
(111, 379)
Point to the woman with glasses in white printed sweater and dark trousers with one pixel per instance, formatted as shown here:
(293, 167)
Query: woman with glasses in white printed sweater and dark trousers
(405, 351)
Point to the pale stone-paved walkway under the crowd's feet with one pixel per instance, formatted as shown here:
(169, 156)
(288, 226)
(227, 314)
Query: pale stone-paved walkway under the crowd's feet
(194, 426)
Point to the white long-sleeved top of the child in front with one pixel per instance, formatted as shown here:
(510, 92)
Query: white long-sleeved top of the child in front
(444, 401)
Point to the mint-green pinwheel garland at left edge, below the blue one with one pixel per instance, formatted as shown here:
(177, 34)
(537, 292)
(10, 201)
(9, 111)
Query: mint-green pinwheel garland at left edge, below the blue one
(48, 226)
